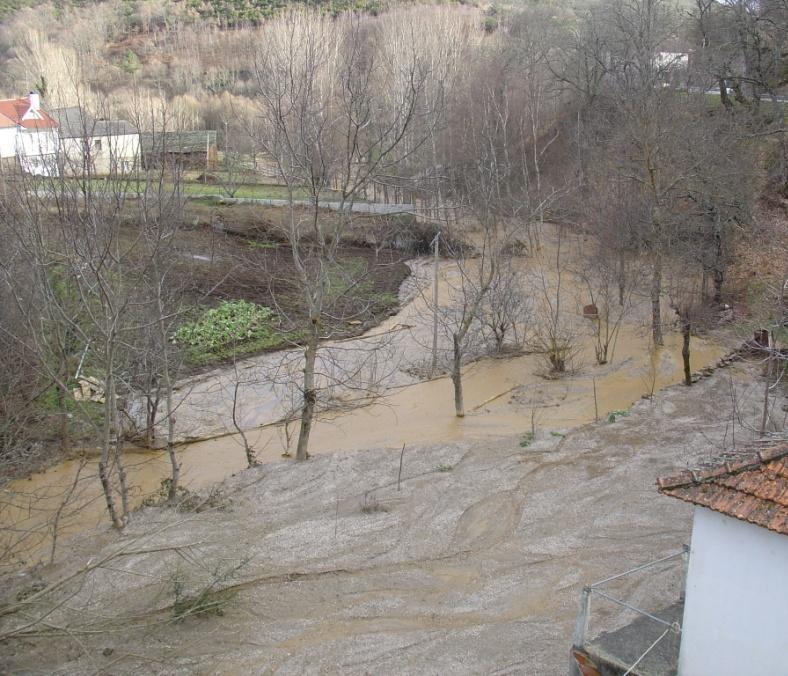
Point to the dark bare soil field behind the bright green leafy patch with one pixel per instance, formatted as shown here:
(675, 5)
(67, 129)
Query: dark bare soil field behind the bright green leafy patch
(241, 252)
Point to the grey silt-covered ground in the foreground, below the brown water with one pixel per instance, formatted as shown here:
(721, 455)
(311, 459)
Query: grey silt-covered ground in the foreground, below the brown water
(474, 565)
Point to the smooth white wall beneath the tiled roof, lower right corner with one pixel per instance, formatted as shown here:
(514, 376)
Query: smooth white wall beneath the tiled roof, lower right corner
(736, 609)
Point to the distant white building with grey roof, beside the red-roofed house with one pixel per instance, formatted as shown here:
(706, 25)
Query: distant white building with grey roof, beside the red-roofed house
(96, 146)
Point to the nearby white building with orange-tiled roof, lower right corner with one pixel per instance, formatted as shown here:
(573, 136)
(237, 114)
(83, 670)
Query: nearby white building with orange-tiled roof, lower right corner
(736, 601)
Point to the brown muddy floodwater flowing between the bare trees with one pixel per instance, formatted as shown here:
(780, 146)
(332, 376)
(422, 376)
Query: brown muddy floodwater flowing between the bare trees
(503, 396)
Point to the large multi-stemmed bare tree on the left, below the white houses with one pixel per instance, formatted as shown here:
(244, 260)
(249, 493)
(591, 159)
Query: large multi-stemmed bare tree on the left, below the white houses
(99, 275)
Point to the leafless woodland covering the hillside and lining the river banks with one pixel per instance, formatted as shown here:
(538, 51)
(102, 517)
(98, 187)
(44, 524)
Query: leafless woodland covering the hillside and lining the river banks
(494, 120)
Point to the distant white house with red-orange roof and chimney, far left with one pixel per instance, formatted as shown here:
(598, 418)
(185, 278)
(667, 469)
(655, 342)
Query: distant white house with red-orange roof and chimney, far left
(28, 135)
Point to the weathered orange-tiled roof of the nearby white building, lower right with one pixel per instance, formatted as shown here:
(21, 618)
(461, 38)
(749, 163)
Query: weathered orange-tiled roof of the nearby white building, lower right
(753, 489)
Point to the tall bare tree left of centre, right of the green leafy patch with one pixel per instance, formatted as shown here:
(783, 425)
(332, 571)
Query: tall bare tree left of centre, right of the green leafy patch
(319, 87)
